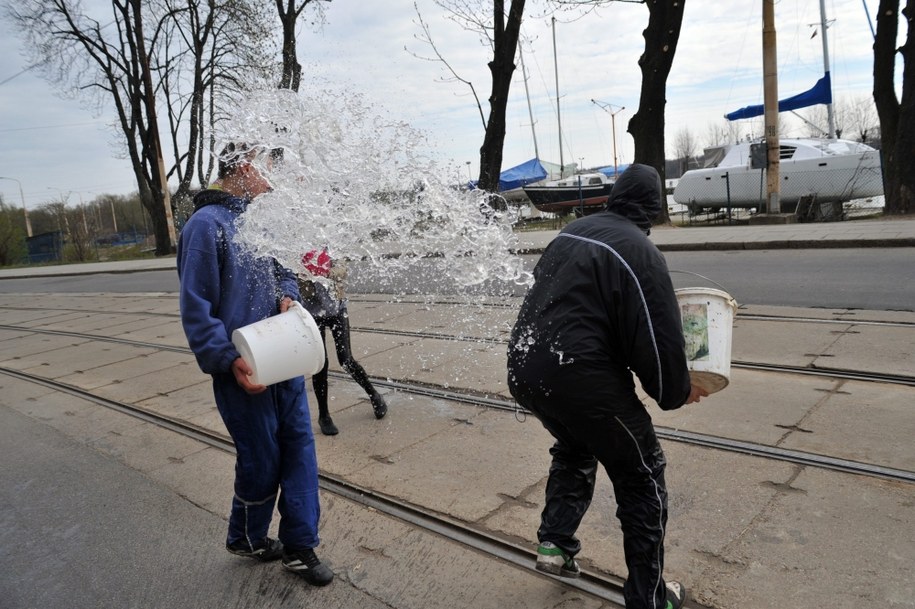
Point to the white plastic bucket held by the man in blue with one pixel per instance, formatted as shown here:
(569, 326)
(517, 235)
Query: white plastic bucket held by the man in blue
(281, 347)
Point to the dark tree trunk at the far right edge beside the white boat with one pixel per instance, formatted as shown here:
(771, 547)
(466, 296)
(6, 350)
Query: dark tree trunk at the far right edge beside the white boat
(897, 117)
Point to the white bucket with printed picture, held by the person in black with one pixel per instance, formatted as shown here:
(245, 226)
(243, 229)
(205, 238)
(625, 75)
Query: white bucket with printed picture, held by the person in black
(707, 315)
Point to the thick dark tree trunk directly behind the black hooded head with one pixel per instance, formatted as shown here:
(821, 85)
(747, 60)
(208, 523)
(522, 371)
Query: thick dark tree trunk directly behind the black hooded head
(647, 124)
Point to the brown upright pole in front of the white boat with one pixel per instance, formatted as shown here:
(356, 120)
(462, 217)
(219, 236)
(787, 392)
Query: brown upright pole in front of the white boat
(770, 103)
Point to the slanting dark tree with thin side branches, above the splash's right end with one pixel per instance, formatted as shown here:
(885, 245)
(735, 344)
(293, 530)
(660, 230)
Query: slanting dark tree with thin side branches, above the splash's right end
(501, 32)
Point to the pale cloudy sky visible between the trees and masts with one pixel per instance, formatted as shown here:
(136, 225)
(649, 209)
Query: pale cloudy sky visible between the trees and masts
(56, 147)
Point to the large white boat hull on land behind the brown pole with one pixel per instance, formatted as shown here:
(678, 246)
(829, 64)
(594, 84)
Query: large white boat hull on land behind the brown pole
(828, 179)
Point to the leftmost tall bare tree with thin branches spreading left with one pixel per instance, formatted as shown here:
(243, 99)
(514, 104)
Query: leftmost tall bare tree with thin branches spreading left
(83, 56)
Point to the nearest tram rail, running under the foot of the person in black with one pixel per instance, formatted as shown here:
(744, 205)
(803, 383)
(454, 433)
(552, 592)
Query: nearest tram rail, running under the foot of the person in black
(593, 584)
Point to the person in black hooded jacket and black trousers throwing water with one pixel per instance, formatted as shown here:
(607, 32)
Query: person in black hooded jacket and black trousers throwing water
(602, 307)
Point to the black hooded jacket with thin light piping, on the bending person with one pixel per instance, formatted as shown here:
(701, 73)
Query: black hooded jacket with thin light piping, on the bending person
(603, 306)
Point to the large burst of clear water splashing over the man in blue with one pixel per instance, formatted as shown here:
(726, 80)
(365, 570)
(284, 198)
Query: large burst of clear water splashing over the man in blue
(354, 180)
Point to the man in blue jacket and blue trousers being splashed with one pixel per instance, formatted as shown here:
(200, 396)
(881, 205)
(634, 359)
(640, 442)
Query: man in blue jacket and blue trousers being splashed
(224, 287)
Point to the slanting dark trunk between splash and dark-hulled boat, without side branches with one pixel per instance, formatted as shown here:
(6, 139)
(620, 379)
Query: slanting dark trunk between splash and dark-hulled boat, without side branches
(501, 67)
